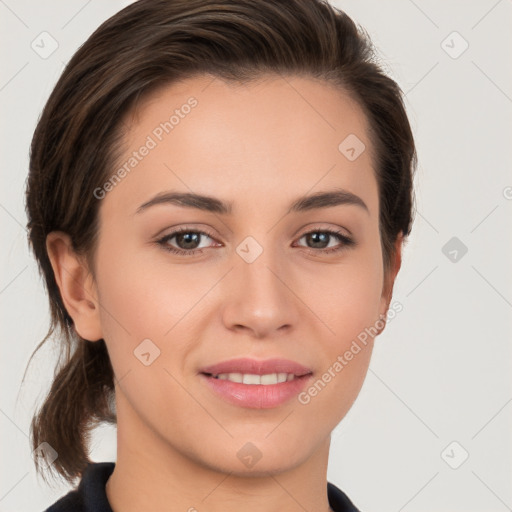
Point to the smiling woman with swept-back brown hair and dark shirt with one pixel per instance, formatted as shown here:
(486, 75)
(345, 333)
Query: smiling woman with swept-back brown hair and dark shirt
(218, 196)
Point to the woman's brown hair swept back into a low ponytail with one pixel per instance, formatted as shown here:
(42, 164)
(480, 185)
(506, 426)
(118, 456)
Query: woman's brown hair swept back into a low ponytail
(77, 140)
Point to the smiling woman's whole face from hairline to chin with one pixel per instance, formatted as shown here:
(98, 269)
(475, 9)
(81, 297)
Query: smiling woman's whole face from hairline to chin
(248, 275)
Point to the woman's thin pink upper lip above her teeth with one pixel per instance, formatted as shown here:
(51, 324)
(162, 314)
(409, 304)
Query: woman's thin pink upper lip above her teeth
(257, 367)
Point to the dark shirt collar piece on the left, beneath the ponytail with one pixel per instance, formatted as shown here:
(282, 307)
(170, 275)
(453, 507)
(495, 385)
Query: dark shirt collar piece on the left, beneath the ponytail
(90, 495)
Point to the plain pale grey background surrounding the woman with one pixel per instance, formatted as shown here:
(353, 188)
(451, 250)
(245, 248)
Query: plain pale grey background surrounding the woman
(439, 387)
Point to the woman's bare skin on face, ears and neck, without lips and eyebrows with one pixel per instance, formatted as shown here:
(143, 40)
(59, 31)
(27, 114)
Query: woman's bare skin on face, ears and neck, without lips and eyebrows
(260, 146)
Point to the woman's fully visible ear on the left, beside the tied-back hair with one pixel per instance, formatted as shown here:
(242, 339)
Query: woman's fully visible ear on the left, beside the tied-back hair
(76, 285)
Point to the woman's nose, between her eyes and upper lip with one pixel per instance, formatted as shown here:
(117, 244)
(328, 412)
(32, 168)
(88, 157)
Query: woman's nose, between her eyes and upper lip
(260, 299)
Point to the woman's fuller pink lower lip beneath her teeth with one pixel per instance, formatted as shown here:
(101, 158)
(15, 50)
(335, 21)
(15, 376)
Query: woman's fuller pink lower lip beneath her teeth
(256, 396)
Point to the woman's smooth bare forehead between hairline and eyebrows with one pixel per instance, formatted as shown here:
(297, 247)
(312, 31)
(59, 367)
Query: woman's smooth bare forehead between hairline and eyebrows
(277, 136)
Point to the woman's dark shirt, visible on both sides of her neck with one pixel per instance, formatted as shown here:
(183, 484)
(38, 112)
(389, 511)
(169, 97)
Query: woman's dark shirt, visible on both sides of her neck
(90, 496)
